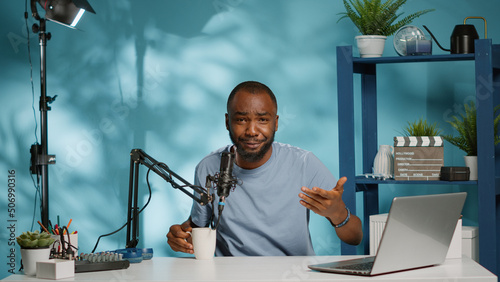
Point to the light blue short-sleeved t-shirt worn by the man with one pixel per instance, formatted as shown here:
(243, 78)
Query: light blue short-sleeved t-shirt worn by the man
(263, 216)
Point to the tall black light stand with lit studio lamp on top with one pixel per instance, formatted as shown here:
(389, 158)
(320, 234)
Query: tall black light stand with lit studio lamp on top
(40, 159)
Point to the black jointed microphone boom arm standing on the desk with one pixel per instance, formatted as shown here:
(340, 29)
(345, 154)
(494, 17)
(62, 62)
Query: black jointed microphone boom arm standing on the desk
(138, 157)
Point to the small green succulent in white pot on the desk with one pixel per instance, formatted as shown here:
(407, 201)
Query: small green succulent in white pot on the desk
(35, 246)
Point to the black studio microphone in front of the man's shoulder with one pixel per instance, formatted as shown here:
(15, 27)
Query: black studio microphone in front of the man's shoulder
(226, 180)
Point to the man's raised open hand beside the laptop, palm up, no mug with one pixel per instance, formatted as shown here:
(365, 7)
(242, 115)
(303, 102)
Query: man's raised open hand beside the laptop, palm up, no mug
(326, 203)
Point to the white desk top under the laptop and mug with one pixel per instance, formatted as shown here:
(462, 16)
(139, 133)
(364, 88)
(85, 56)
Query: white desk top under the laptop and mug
(263, 269)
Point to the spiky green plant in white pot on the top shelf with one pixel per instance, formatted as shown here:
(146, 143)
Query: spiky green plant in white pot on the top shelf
(375, 21)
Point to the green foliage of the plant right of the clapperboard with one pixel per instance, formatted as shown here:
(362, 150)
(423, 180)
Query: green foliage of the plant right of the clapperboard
(467, 130)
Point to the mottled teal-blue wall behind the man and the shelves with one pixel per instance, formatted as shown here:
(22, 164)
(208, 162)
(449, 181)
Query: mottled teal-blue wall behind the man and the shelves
(156, 74)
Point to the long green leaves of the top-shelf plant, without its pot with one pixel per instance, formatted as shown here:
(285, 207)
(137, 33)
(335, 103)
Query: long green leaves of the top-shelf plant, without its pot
(372, 17)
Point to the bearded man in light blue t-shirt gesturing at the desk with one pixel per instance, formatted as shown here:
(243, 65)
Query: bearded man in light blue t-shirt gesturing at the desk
(268, 212)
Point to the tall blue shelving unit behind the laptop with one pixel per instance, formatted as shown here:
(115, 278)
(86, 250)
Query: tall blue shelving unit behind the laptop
(487, 75)
